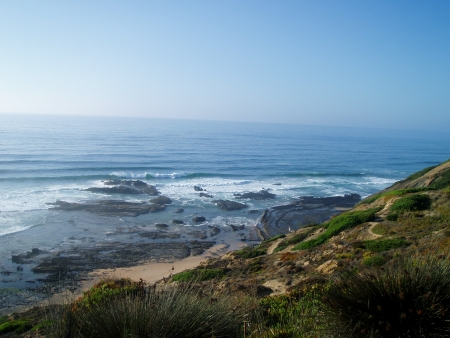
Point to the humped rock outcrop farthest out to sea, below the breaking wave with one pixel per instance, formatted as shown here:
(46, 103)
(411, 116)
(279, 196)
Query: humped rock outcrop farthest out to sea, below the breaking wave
(129, 187)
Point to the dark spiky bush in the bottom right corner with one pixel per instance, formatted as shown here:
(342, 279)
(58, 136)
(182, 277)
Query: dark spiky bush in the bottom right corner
(410, 298)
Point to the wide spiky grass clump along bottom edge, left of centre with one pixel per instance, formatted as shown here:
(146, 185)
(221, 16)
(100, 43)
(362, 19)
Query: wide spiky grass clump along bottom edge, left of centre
(182, 311)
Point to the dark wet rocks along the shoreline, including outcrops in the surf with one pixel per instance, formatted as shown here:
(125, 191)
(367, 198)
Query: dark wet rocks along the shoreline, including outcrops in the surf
(44, 272)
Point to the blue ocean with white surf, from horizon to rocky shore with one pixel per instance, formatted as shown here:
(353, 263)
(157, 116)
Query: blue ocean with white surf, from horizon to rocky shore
(49, 158)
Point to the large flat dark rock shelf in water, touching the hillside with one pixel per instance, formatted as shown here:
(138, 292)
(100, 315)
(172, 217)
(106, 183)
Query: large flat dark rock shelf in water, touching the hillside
(306, 210)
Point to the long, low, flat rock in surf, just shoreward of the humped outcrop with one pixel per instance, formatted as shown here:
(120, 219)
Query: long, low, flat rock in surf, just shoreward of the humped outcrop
(109, 207)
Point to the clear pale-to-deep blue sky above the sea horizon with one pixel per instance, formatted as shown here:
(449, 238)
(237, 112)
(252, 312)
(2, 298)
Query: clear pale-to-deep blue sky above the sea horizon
(338, 63)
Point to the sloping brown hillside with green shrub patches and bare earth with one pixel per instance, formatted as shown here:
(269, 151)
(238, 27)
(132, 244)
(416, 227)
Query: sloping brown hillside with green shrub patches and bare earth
(412, 215)
